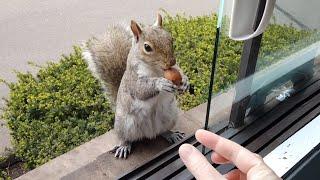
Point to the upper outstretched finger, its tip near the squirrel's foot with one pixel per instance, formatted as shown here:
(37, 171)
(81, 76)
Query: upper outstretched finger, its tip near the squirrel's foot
(241, 157)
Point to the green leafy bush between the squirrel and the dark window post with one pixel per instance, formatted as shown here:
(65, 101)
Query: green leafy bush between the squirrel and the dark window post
(193, 45)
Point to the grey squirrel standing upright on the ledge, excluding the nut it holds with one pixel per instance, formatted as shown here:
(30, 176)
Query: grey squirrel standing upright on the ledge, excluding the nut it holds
(130, 63)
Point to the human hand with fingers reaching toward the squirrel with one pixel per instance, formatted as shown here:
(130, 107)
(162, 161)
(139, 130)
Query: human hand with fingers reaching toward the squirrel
(250, 165)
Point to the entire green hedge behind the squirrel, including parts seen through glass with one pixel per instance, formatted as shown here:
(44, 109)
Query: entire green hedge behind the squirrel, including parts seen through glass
(64, 106)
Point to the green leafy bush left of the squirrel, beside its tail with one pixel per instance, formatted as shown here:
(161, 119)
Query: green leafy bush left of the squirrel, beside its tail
(56, 110)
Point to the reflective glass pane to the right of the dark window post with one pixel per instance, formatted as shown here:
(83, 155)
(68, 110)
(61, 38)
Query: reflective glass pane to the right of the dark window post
(289, 48)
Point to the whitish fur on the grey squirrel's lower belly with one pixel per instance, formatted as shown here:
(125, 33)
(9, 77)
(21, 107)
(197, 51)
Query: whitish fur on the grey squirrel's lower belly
(152, 117)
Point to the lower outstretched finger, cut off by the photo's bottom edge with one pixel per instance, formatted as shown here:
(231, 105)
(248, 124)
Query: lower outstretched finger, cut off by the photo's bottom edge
(197, 164)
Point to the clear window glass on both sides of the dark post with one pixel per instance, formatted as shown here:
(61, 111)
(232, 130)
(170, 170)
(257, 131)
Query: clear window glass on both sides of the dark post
(288, 59)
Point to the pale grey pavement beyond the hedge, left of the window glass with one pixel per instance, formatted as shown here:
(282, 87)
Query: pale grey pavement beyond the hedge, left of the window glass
(43, 30)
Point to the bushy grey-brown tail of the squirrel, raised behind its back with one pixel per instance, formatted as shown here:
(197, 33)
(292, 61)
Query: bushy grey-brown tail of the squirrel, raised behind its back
(107, 58)
